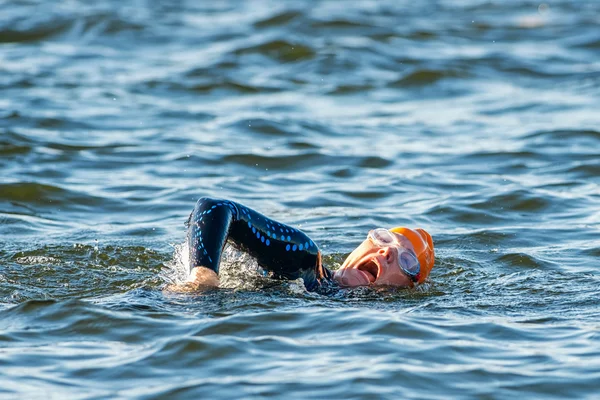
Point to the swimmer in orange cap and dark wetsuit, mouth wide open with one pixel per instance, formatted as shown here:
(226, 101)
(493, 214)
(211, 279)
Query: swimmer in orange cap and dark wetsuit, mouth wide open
(399, 257)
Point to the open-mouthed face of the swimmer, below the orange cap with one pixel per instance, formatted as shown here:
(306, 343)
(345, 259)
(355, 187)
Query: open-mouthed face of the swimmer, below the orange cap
(373, 264)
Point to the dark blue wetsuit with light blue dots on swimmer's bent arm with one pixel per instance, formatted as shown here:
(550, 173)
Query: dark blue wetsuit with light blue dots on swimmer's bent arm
(286, 252)
